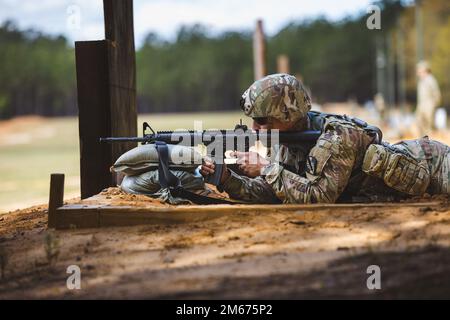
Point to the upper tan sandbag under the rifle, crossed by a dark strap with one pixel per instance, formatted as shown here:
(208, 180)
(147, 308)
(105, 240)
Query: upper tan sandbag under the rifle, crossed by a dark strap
(145, 158)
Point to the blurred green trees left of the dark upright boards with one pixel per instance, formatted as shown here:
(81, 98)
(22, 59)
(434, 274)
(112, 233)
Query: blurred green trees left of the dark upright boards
(37, 73)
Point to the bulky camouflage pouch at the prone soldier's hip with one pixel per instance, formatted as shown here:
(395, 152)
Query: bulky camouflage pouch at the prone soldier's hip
(399, 171)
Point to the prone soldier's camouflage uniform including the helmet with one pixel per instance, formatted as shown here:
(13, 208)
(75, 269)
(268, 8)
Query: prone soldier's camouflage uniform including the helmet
(332, 170)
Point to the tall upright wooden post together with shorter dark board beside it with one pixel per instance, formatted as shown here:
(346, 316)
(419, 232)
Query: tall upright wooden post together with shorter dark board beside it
(106, 82)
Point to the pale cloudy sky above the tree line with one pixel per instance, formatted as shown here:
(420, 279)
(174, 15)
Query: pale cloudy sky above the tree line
(83, 19)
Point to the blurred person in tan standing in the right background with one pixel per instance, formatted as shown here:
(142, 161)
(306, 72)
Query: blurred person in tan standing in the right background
(428, 98)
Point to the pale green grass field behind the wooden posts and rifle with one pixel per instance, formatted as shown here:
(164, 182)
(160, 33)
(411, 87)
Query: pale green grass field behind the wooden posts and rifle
(53, 147)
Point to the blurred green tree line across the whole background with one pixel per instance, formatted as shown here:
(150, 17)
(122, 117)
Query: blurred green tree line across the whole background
(197, 71)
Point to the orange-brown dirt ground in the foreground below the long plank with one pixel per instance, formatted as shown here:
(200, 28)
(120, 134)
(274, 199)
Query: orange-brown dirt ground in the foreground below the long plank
(301, 254)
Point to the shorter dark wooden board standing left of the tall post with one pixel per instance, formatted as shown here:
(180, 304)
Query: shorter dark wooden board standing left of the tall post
(93, 113)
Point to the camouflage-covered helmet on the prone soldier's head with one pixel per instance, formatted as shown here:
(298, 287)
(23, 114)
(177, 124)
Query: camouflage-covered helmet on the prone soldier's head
(280, 96)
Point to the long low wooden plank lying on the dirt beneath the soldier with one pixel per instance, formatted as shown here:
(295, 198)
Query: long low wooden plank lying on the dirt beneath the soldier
(92, 216)
